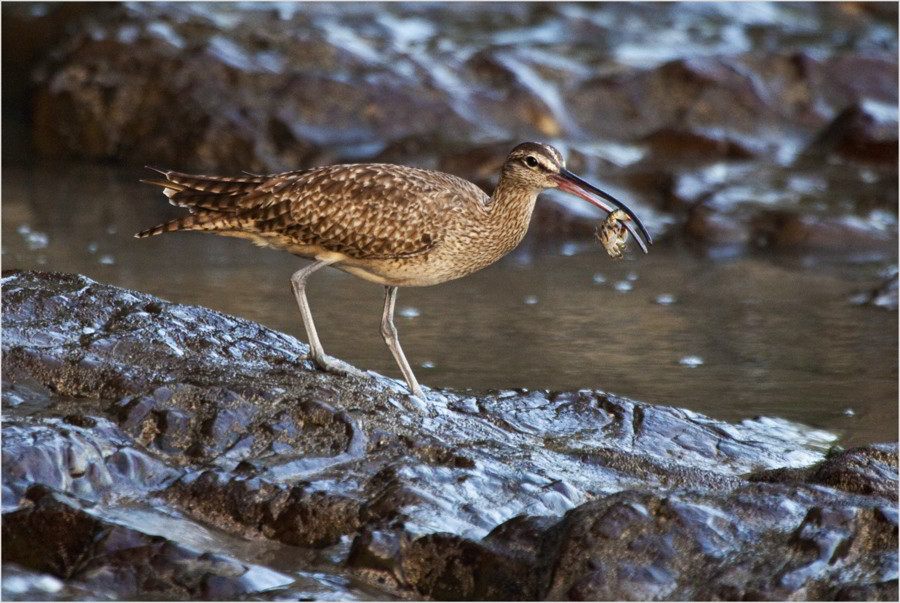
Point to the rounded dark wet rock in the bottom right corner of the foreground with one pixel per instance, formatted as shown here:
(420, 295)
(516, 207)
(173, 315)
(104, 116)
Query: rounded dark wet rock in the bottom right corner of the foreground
(686, 546)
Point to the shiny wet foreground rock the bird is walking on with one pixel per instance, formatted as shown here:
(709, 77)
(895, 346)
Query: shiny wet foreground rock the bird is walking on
(158, 450)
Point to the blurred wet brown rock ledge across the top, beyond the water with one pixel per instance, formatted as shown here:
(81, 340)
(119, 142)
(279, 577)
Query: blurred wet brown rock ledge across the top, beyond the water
(276, 85)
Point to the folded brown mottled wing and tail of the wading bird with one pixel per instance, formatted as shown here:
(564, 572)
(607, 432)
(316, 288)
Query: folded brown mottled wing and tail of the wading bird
(360, 210)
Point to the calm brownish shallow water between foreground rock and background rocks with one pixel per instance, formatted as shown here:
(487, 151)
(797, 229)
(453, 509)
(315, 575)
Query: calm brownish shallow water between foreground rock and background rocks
(733, 337)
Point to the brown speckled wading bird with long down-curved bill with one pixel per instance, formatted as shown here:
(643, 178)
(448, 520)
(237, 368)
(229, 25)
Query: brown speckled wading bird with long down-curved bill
(394, 225)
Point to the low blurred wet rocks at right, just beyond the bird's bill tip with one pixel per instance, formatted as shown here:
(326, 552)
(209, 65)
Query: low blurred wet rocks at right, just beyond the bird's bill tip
(746, 208)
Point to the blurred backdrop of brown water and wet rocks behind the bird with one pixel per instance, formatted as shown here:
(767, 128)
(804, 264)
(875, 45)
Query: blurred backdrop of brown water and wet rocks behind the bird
(758, 141)
